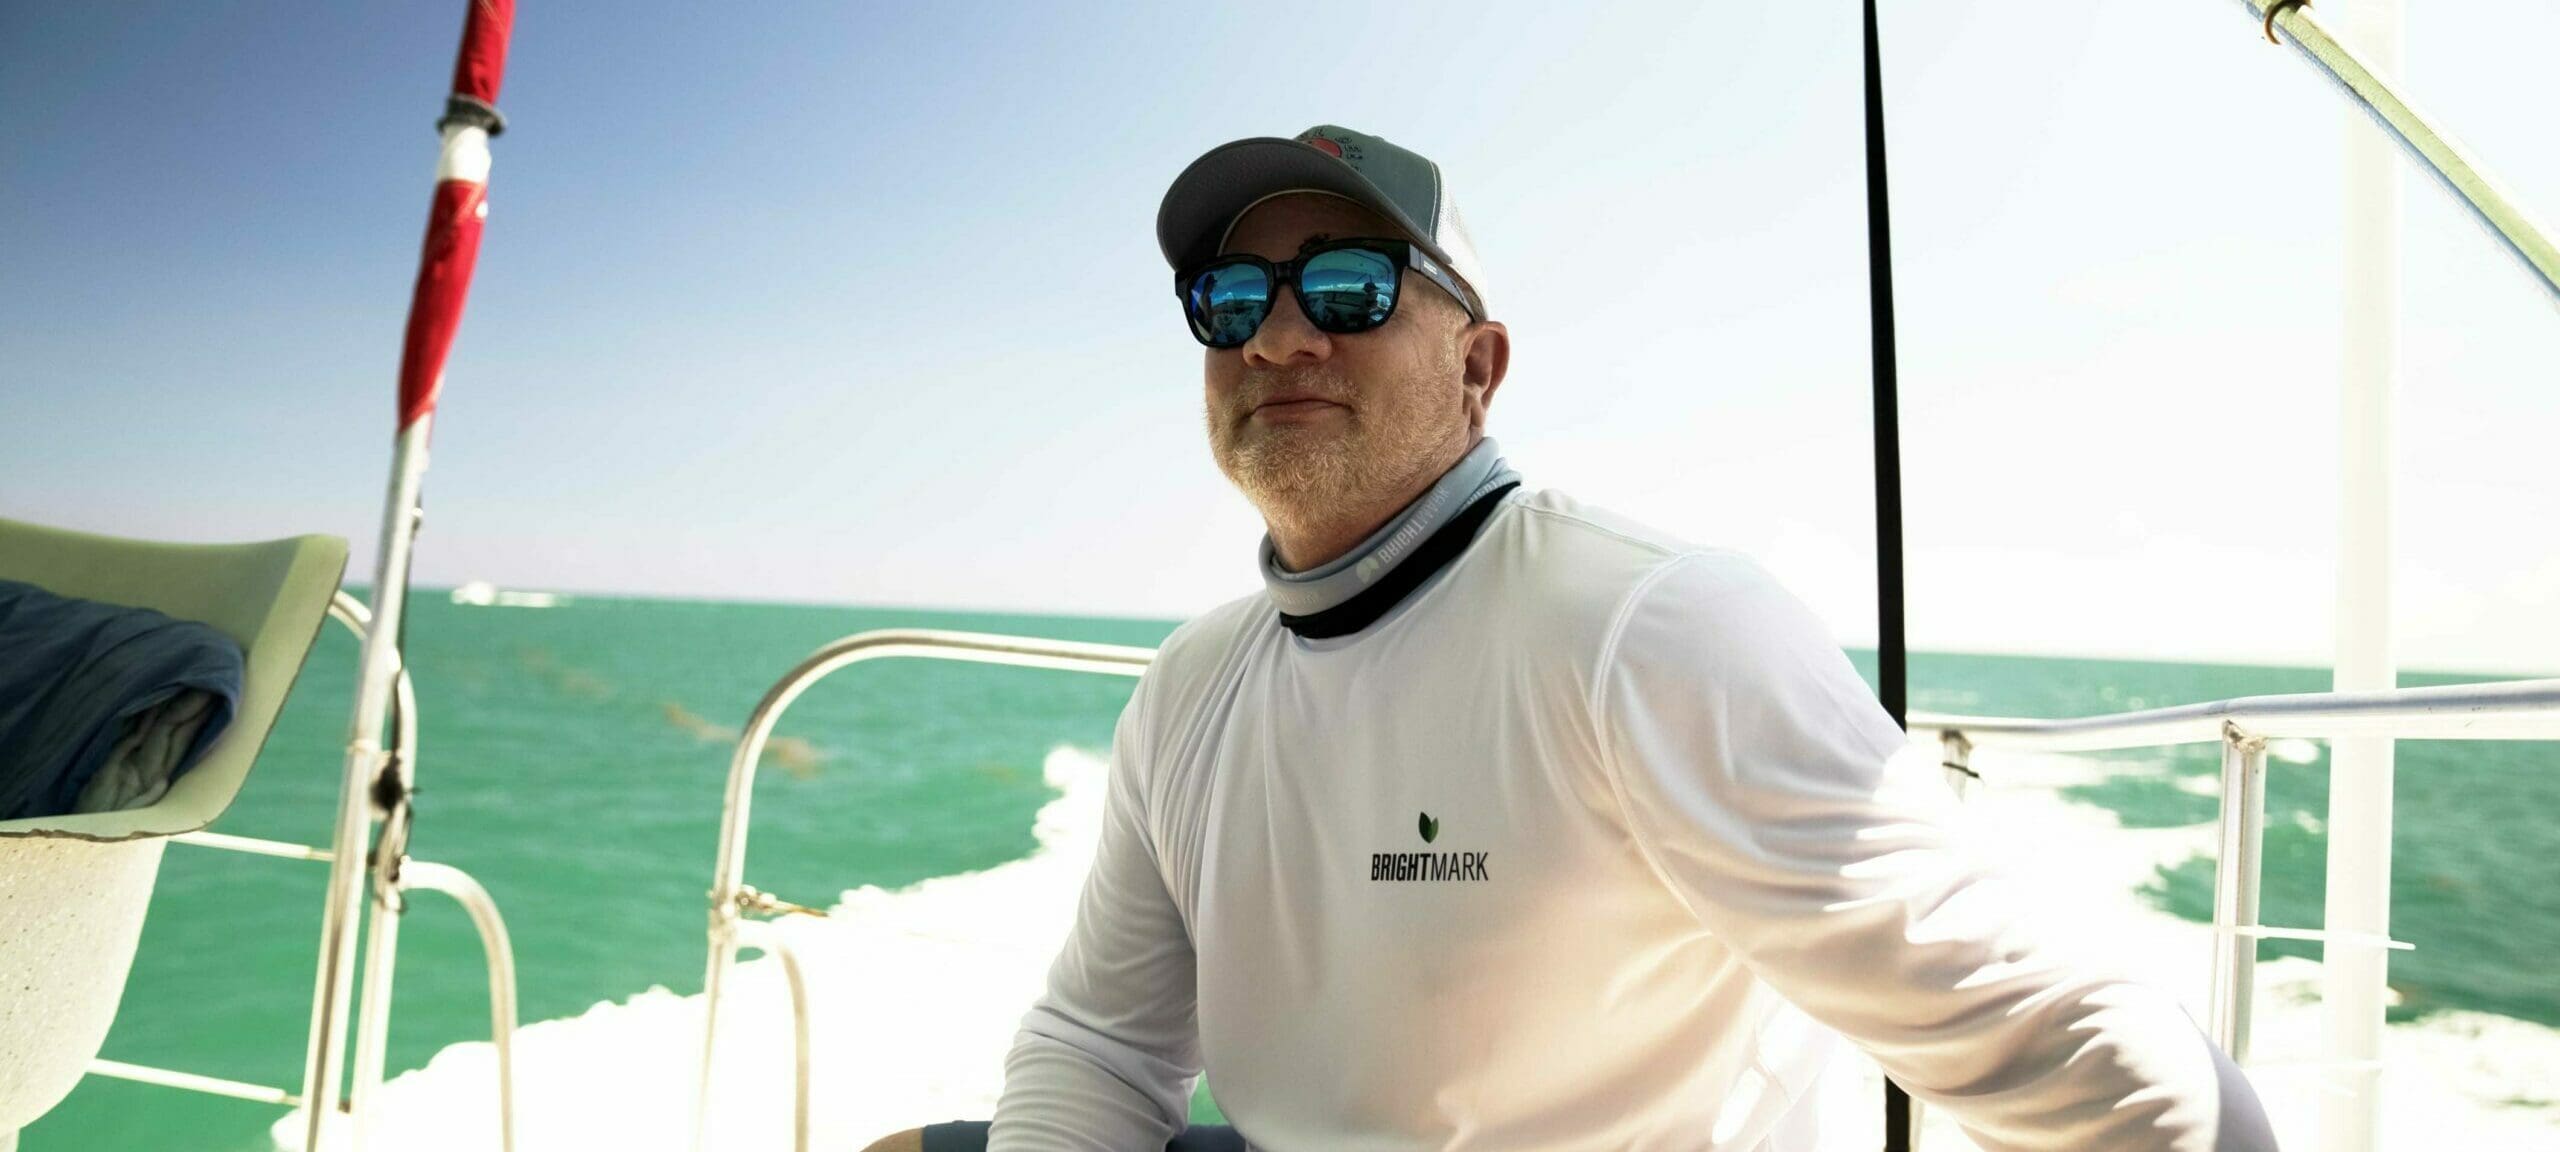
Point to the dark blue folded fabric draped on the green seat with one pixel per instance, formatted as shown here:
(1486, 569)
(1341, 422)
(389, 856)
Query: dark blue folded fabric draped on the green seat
(76, 672)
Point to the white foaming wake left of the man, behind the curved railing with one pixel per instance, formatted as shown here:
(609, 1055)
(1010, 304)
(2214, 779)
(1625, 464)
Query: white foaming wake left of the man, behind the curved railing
(913, 995)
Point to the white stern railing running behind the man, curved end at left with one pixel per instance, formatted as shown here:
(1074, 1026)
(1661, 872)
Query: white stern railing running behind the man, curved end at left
(2515, 710)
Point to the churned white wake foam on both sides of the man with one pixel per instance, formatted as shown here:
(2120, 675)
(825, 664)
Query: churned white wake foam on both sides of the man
(915, 997)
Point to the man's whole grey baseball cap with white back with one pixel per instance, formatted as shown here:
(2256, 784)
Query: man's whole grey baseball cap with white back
(1402, 186)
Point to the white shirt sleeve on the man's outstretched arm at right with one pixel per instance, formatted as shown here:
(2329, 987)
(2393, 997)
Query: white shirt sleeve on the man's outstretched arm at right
(1786, 808)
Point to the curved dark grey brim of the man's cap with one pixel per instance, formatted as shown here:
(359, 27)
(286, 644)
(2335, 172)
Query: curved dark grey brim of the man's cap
(1233, 178)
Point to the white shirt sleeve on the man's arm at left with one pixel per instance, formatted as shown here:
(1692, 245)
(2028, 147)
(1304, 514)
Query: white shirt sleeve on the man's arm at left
(1110, 1053)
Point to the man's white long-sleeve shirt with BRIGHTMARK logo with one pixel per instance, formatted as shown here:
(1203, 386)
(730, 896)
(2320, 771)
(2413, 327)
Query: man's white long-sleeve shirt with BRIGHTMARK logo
(1594, 844)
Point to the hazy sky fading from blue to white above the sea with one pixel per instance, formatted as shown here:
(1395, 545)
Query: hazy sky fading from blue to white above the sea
(861, 303)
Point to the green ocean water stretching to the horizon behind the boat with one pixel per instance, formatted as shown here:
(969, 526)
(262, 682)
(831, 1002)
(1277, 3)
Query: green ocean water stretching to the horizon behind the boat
(572, 762)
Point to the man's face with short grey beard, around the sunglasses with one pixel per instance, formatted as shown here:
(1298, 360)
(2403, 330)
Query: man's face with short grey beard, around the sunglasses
(1304, 419)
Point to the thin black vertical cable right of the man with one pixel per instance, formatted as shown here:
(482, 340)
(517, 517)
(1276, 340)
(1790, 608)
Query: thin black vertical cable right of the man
(1880, 296)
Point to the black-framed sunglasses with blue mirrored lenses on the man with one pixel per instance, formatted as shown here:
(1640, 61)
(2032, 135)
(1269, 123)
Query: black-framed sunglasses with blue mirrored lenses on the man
(1343, 288)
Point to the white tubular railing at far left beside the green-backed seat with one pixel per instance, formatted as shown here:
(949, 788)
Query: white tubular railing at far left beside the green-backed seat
(390, 874)
